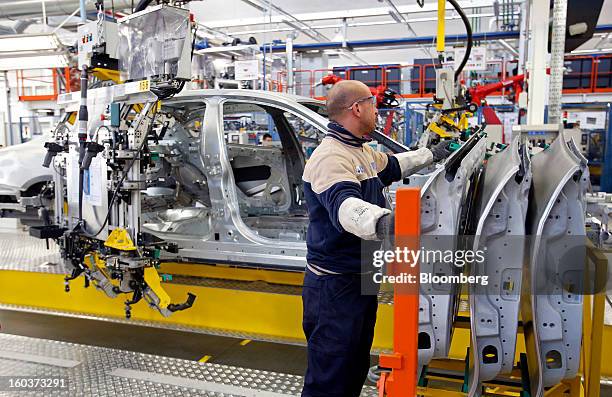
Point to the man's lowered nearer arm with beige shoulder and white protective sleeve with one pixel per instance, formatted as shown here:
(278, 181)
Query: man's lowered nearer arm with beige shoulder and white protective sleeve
(337, 188)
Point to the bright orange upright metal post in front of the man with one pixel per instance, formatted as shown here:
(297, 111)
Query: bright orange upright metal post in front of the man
(402, 381)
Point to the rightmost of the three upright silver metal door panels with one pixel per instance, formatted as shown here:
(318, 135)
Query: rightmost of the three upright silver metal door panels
(552, 300)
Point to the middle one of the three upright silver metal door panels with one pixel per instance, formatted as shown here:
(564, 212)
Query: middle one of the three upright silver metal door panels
(500, 234)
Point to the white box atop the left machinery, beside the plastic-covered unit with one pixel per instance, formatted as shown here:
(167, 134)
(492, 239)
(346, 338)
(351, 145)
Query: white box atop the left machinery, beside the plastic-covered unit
(96, 37)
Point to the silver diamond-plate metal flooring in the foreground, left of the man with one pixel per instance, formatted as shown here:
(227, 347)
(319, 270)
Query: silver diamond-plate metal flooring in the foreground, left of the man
(109, 372)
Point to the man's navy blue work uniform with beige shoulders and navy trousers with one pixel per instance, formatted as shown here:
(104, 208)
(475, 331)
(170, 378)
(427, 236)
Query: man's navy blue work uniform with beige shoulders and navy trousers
(338, 318)
